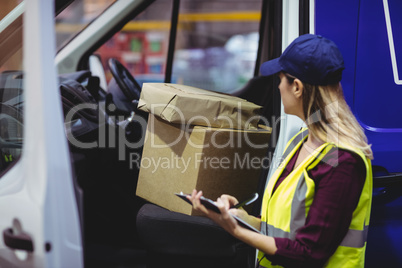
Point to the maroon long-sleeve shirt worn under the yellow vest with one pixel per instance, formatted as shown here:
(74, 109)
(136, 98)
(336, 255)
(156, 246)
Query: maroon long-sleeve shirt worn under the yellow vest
(337, 193)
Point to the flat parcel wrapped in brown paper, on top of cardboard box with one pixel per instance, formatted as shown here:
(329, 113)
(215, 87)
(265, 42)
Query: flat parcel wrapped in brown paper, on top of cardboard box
(182, 104)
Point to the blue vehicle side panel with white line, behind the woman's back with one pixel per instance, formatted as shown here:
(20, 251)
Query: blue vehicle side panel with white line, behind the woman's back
(369, 37)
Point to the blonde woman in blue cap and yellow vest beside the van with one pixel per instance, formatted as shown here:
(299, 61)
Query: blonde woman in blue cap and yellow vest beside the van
(316, 206)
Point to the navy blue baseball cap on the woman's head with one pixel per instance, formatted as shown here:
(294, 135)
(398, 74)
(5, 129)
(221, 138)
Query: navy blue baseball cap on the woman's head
(311, 58)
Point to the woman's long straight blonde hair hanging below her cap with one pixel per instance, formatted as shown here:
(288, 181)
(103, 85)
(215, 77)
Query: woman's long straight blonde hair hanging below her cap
(330, 119)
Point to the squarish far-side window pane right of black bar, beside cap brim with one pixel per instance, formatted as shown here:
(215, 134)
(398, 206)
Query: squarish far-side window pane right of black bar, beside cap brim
(216, 44)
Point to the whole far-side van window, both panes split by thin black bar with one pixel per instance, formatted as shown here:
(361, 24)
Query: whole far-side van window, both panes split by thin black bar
(215, 46)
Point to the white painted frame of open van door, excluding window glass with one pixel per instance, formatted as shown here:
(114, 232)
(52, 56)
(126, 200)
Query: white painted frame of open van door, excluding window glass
(37, 195)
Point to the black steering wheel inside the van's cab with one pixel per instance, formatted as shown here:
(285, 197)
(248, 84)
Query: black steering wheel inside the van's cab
(128, 85)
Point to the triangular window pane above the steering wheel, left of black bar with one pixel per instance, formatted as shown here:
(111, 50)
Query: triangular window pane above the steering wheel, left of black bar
(141, 46)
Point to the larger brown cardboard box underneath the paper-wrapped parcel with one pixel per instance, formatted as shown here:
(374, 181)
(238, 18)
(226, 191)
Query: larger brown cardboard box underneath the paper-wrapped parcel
(171, 164)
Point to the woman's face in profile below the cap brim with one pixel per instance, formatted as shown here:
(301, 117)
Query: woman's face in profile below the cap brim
(290, 102)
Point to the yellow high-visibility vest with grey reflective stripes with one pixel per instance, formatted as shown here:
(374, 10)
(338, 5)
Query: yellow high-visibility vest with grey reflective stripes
(282, 217)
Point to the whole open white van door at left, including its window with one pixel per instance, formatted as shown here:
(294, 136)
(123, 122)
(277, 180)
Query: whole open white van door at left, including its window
(39, 221)
